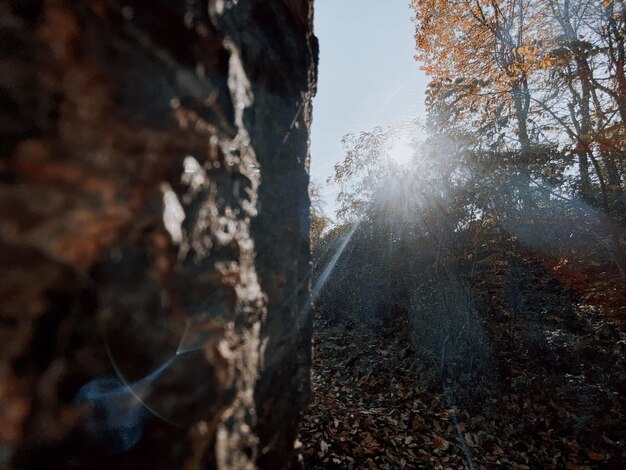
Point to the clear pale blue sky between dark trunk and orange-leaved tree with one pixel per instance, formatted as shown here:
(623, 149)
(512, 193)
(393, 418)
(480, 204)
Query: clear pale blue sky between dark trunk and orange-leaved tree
(367, 76)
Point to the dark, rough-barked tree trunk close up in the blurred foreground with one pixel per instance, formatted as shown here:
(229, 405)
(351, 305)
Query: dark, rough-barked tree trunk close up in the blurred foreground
(154, 229)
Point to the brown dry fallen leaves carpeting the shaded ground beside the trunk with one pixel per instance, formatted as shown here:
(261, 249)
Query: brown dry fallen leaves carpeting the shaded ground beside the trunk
(368, 410)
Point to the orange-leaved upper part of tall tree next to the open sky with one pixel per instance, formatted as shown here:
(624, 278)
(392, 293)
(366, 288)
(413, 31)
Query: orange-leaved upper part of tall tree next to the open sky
(498, 56)
